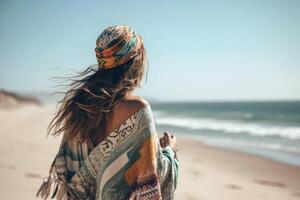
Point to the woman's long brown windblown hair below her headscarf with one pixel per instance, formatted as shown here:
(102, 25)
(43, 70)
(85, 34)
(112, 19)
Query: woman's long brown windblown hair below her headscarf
(85, 108)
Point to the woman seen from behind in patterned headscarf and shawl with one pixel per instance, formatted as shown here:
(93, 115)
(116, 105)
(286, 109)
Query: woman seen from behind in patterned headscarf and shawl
(110, 148)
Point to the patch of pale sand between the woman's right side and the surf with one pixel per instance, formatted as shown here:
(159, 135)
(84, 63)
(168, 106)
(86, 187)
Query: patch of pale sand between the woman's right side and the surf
(211, 172)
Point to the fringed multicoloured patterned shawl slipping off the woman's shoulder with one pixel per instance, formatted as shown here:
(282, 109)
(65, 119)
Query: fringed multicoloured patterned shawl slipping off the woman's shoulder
(128, 164)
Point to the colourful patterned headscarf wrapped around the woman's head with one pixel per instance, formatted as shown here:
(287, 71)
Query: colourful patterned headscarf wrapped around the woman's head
(116, 45)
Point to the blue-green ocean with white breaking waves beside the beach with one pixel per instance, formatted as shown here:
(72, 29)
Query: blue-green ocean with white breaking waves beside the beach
(269, 129)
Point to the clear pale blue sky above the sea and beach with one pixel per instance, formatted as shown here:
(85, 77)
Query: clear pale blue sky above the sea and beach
(198, 50)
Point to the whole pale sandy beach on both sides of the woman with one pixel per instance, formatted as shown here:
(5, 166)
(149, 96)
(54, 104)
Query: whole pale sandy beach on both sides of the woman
(206, 173)
